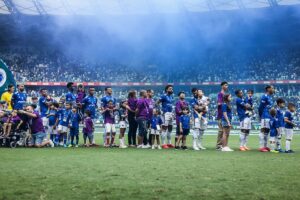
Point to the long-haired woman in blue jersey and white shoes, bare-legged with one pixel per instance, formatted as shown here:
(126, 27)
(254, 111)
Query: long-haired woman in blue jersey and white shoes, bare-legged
(226, 121)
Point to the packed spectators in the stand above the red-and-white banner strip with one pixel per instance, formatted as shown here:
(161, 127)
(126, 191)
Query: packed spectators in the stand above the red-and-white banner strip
(55, 67)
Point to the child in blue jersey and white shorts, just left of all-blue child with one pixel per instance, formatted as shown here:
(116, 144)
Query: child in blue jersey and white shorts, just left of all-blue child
(64, 122)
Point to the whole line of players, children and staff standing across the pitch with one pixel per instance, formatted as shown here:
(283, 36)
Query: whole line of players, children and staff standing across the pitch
(150, 123)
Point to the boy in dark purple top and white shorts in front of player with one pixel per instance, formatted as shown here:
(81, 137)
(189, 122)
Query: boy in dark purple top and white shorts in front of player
(109, 121)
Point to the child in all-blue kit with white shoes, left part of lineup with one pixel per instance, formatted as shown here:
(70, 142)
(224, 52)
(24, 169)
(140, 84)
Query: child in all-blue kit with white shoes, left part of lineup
(75, 119)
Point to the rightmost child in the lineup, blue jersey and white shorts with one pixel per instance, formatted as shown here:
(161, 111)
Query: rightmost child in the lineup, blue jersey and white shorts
(289, 125)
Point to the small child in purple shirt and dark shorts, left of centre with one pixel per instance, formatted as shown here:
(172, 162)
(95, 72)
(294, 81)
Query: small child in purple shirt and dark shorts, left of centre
(88, 129)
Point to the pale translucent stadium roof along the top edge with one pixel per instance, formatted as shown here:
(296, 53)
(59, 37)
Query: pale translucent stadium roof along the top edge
(117, 7)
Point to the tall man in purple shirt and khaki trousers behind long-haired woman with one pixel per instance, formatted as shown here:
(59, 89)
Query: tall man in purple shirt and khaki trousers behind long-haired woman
(224, 86)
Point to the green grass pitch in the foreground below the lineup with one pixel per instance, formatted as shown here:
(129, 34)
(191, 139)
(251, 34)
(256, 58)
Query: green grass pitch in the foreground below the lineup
(99, 173)
